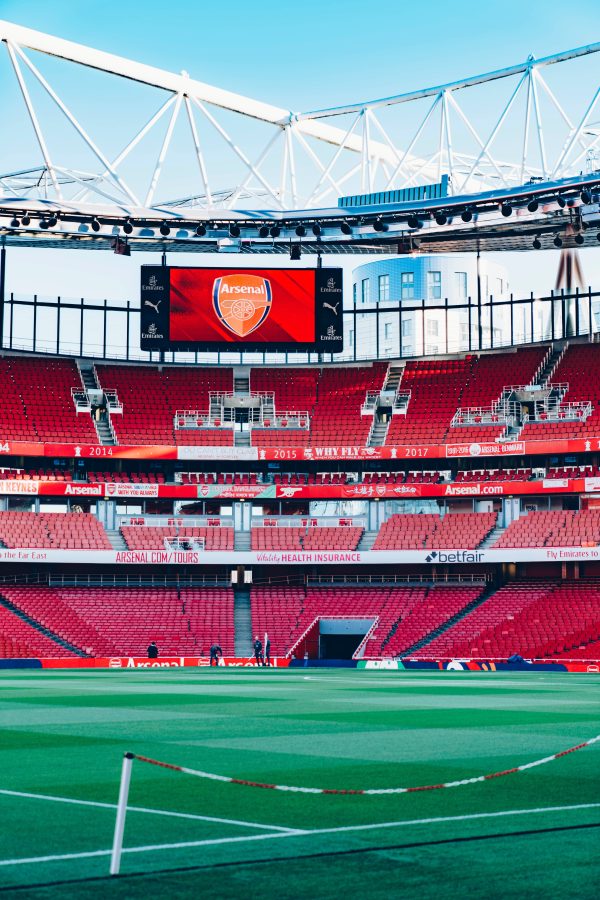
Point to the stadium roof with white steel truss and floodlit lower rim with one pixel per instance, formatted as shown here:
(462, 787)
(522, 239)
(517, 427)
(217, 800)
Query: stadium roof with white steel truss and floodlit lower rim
(284, 184)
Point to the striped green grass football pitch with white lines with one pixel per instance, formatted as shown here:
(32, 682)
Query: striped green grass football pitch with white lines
(63, 735)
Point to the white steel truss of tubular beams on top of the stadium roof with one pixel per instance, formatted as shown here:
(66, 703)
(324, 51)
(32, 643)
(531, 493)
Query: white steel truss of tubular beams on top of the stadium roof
(241, 153)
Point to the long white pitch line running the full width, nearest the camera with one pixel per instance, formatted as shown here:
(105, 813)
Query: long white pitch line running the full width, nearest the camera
(294, 833)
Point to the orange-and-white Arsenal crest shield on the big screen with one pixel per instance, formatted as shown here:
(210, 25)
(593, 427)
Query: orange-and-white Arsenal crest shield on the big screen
(242, 302)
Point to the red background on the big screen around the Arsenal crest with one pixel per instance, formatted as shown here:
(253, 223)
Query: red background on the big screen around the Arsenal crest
(290, 320)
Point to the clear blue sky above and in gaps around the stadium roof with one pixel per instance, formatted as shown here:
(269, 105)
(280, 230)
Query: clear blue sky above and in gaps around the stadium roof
(299, 56)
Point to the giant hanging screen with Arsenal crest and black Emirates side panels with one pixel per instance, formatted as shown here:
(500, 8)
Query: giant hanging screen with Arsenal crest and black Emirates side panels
(234, 309)
